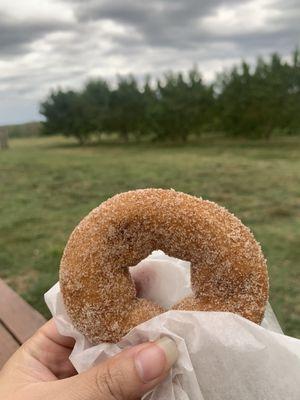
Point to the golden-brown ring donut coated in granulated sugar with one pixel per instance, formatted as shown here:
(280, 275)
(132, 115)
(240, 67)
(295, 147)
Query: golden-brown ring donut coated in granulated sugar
(228, 269)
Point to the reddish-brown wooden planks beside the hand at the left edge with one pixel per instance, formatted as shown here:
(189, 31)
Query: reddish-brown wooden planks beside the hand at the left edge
(18, 321)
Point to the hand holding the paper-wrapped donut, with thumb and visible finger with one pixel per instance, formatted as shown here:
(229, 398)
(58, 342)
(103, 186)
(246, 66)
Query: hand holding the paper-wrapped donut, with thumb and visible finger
(41, 370)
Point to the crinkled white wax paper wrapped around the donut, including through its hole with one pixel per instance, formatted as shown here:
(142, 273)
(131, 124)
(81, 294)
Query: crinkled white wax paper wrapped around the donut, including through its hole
(222, 356)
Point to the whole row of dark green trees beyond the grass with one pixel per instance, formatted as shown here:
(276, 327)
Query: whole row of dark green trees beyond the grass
(248, 101)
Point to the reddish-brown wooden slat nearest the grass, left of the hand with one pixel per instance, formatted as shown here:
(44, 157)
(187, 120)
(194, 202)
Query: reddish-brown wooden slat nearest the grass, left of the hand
(18, 316)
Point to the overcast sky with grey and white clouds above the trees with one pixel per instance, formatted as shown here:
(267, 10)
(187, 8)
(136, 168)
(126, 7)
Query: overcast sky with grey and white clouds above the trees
(46, 44)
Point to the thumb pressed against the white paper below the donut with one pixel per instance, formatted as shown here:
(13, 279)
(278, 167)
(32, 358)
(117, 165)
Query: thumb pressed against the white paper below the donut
(128, 375)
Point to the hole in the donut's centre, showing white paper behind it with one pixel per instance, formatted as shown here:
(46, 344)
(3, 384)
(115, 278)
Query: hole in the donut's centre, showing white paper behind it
(162, 279)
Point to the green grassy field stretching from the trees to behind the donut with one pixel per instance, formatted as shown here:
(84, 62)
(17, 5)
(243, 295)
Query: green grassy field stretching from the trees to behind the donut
(48, 185)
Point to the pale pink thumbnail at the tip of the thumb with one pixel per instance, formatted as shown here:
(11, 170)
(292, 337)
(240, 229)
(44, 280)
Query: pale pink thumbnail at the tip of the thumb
(156, 359)
